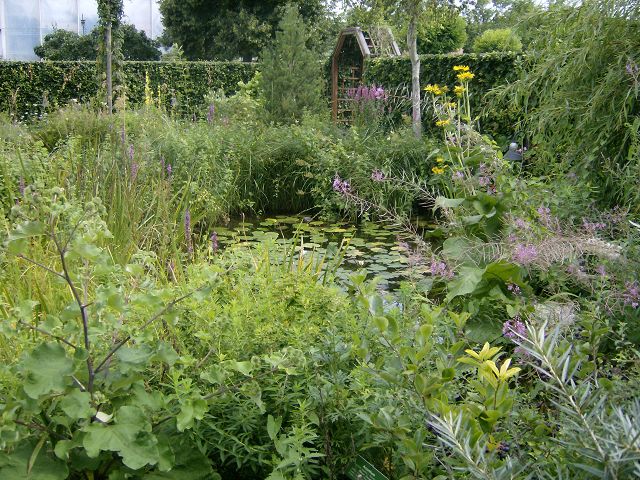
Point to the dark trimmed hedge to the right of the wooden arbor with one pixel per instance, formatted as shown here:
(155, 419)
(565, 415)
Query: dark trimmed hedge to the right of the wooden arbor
(491, 70)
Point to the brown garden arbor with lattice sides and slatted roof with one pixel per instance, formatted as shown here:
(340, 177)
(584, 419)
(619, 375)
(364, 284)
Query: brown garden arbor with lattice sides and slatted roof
(354, 46)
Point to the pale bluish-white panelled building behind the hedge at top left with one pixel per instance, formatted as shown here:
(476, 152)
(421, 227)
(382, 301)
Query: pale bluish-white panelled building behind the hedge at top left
(24, 22)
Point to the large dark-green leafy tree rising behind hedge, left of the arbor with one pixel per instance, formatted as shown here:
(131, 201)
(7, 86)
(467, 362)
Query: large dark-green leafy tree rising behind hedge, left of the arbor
(228, 29)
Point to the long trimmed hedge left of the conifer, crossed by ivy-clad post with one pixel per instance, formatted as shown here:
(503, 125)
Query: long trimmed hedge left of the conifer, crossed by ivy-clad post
(27, 89)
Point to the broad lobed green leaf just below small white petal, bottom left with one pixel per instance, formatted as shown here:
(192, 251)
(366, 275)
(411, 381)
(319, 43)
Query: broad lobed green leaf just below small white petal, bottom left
(130, 436)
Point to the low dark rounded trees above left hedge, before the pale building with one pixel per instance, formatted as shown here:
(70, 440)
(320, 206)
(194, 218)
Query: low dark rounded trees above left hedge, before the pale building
(66, 45)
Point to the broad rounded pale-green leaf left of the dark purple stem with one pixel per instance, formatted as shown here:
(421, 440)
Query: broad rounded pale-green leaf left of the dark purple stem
(46, 370)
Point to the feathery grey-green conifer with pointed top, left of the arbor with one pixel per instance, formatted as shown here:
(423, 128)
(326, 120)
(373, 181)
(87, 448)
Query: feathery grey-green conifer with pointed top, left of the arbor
(291, 80)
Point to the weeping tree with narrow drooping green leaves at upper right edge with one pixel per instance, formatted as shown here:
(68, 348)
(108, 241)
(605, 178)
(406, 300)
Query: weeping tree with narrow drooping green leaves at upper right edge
(586, 58)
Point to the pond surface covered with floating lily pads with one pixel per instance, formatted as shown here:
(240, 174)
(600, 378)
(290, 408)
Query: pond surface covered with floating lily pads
(378, 249)
